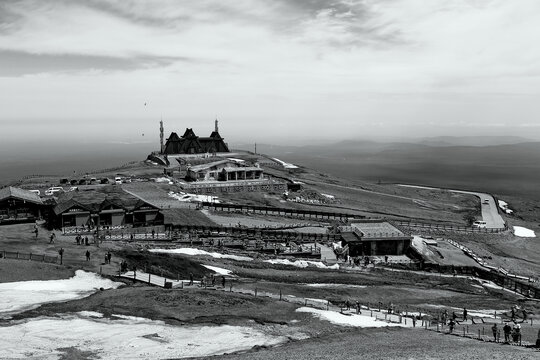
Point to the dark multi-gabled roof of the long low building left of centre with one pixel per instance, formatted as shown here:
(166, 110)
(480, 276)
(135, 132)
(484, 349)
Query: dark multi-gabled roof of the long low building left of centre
(97, 200)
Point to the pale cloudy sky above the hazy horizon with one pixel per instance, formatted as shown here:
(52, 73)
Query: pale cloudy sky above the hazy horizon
(269, 70)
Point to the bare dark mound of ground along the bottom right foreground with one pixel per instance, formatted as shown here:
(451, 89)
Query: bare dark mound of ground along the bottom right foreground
(389, 344)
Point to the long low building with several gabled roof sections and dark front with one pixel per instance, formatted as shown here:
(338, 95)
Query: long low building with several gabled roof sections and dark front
(108, 208)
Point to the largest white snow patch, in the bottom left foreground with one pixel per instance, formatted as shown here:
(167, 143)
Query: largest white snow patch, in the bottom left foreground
(135, 338)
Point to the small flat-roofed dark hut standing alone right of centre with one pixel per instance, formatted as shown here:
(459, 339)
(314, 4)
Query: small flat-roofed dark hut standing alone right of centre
(376, 238)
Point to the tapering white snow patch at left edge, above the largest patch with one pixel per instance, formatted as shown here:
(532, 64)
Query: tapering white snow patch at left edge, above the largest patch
(23, 295)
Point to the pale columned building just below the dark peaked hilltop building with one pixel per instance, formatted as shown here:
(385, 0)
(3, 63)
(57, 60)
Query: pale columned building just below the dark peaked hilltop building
(224, 170)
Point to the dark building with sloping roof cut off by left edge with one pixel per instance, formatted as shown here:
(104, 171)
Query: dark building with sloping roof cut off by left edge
(19, 206)
